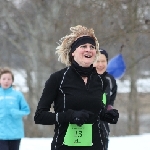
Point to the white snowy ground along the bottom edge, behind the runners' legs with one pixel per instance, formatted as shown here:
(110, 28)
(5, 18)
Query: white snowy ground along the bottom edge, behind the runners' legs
(140, 142)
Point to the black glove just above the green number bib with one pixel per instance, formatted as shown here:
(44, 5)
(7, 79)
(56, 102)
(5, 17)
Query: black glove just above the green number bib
(75, 117)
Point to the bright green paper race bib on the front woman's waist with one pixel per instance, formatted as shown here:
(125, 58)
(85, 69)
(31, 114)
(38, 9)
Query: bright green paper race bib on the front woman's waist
(78, 136)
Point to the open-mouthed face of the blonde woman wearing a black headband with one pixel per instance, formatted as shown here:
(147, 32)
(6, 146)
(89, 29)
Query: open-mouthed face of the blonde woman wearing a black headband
(85, 55)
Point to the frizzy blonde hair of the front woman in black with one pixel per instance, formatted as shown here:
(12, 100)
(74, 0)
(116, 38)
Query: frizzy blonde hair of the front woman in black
(63, 49)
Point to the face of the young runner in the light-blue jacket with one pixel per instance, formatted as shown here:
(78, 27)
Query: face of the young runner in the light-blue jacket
(6, 80)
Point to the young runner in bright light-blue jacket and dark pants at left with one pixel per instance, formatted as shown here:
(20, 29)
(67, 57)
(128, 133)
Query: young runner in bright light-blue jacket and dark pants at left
(13, 107)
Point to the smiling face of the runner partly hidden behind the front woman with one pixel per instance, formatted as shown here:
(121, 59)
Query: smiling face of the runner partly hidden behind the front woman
(101, 64)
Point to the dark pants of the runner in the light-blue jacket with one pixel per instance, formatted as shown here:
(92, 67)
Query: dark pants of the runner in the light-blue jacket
(9, 144)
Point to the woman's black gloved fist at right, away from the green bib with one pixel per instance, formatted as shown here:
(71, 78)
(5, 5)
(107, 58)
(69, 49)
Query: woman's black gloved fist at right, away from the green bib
(110, 116)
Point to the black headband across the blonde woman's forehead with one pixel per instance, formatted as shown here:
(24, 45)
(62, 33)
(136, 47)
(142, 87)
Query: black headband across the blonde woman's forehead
(81, 41)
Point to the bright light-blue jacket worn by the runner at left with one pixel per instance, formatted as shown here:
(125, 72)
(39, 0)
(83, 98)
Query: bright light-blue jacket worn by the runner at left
(13, 107)
